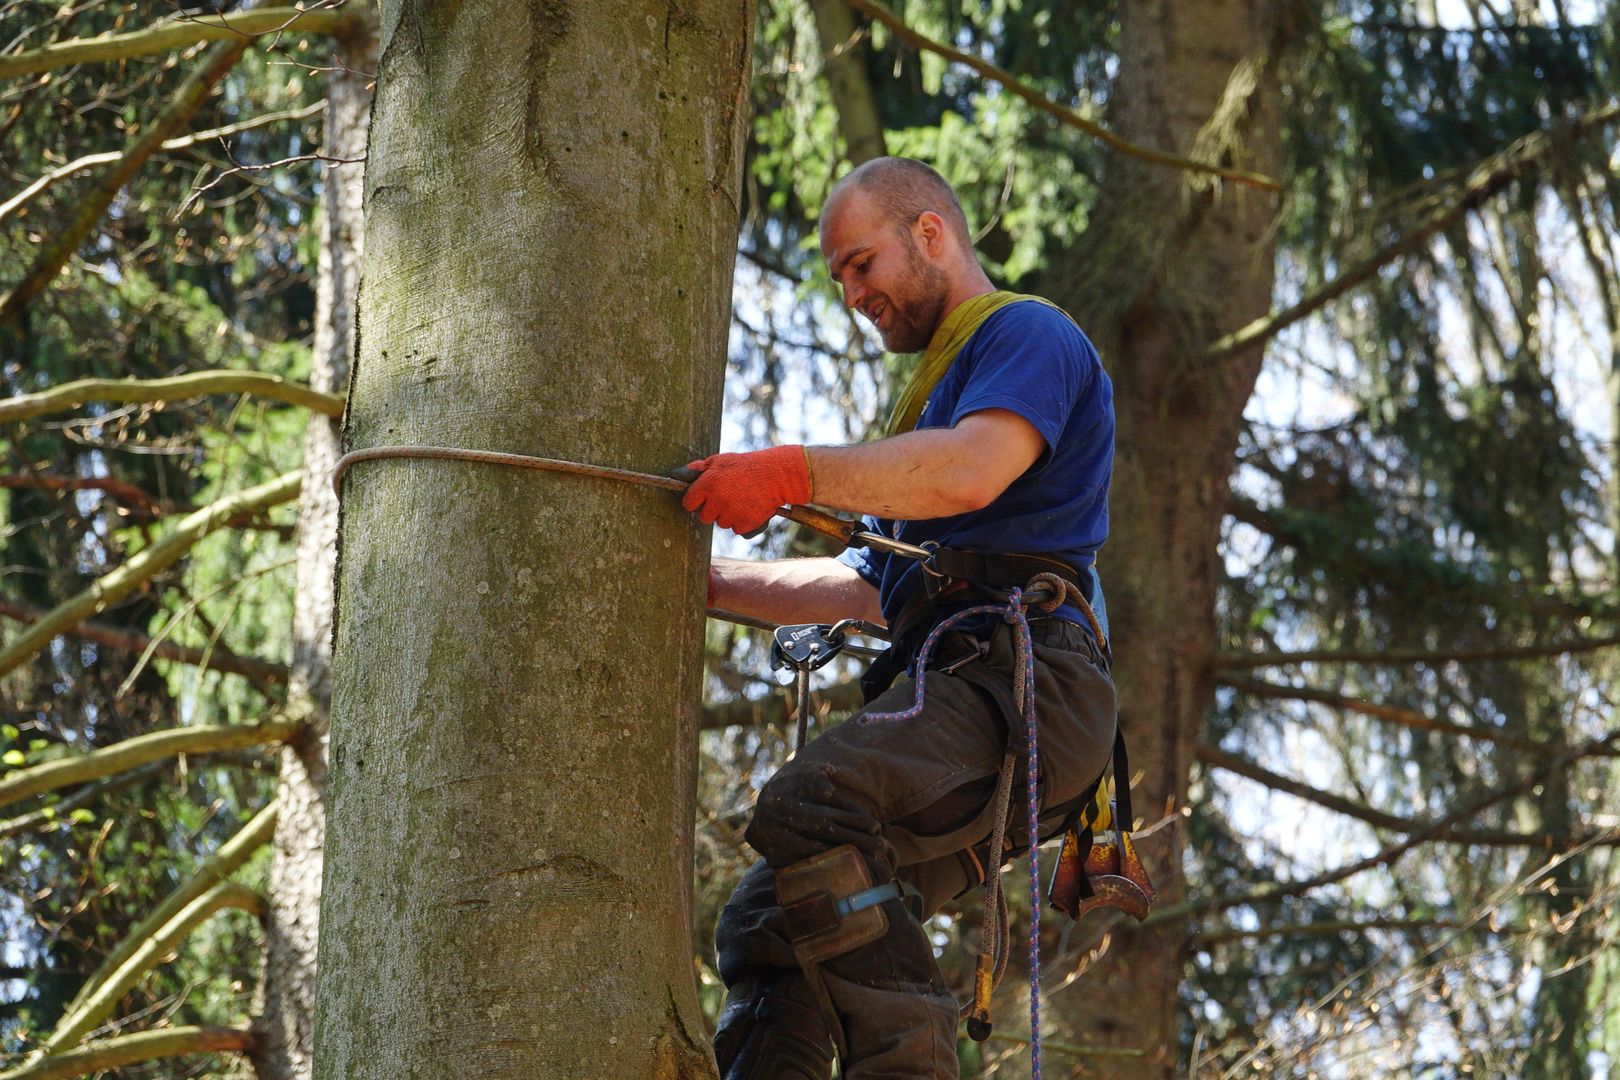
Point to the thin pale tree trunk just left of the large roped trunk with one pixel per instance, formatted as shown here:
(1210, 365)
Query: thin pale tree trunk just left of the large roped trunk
(284, 1026)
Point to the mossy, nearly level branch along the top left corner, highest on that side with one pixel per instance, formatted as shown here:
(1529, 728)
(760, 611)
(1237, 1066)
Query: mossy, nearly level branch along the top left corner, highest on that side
(236, 28)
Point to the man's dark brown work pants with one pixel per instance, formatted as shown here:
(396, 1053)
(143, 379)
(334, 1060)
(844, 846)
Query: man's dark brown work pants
(914, 799)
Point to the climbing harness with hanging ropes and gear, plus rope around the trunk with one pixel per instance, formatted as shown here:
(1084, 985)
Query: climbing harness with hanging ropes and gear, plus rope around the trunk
(1089, 875)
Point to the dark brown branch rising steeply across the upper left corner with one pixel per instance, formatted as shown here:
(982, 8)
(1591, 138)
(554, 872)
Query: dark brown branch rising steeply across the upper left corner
(66, 240)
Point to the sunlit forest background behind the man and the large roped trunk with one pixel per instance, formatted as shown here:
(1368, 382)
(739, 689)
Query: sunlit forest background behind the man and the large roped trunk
(1365, 637)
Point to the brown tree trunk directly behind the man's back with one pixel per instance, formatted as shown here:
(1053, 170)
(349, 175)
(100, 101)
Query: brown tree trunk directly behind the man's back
(1170, 265)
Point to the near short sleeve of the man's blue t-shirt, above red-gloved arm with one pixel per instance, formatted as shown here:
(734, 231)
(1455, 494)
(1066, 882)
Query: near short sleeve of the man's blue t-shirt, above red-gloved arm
(1028, 360)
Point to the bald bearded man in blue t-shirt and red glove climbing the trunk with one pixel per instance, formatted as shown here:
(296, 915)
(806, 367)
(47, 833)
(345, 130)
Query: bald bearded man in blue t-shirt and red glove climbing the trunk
(999, 462)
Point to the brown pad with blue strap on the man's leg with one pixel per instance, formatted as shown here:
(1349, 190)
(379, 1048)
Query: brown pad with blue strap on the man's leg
(832, 908)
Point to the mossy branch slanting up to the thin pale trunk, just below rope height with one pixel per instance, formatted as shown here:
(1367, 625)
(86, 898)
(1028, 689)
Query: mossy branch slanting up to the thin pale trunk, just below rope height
(140, 569)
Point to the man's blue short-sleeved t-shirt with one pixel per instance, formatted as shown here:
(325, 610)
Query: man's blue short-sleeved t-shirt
(1031, 360)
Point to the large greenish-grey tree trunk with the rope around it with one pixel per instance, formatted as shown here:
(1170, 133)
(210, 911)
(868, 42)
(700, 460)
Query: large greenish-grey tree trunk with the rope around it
(552, 224)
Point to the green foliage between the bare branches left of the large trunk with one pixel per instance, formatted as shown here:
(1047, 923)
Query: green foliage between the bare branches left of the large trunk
(173, 279)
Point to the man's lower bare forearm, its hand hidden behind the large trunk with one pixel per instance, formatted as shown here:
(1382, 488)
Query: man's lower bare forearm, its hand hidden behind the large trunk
(795, 590)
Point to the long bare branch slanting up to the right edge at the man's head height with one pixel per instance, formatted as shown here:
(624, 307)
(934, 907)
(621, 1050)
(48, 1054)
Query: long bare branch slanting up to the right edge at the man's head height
(1485, 181)
